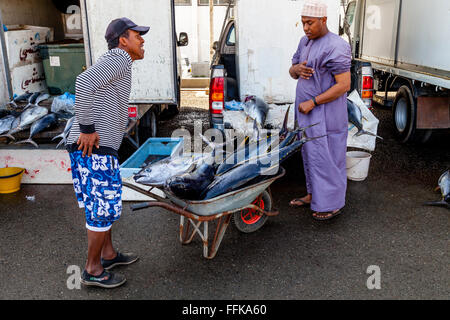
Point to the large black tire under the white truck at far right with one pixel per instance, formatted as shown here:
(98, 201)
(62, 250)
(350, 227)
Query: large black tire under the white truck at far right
(404, 115)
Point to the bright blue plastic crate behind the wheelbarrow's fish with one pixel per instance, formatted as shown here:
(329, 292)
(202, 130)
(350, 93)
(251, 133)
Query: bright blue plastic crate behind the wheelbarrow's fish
(160, 148)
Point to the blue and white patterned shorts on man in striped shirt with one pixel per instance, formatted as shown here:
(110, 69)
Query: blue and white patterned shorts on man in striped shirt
(98, 188)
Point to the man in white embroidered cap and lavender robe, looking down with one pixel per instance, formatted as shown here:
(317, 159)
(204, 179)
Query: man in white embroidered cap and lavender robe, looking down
(322, 67)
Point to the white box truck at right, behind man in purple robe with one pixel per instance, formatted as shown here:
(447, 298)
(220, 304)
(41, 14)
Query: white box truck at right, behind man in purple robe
(404, 45)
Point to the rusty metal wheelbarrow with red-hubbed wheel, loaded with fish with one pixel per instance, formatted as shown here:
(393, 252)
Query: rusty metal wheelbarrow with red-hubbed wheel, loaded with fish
(249, 207)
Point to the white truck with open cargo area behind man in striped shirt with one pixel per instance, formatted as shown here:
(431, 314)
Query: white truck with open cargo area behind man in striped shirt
(156, 79)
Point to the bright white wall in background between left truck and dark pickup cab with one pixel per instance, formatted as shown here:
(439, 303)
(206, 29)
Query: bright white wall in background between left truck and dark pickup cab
(194, 20)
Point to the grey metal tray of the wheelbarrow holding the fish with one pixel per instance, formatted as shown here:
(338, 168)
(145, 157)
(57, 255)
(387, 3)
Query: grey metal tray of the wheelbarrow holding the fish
(231, 201)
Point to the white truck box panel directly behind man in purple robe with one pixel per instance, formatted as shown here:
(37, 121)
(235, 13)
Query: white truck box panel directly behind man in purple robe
(264, 53)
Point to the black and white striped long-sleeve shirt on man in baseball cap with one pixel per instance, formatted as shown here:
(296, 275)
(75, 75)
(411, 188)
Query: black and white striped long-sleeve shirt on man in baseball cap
(102, 93)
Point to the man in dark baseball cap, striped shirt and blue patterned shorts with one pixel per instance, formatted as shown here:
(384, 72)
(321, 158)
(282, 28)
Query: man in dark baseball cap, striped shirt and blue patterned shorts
(101, 115)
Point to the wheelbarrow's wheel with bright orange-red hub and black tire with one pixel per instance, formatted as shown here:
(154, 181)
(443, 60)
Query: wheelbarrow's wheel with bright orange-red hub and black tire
(249, 220)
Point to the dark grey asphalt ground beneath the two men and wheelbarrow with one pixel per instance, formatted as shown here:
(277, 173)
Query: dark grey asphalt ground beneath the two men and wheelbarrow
(291, 257)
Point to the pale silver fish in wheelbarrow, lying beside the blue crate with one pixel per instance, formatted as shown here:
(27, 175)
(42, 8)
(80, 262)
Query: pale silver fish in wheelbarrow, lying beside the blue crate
(157, 173)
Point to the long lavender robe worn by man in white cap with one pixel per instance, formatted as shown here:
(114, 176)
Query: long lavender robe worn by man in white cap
(325, 158)
